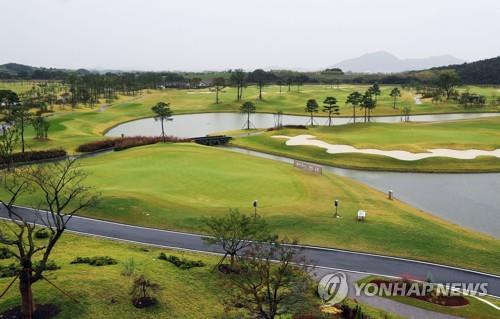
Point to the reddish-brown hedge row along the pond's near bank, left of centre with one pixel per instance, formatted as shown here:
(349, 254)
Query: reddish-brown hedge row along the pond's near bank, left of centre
(126, 142)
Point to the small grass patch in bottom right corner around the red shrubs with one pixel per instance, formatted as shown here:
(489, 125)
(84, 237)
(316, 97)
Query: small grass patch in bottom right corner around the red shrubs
(476, 309)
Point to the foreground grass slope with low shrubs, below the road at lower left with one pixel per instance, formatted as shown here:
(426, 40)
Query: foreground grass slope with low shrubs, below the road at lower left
(184, 294)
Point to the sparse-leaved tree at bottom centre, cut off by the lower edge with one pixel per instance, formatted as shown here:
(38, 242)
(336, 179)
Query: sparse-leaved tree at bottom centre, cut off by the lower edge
(273, 281)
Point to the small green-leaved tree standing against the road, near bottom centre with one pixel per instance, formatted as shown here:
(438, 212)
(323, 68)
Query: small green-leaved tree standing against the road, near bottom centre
(234, 232)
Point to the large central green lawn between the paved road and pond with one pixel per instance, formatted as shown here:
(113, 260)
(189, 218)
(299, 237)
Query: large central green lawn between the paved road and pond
(173, 185)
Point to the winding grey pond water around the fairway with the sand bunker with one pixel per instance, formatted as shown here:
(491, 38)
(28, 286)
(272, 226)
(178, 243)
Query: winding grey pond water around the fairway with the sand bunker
(470, 200)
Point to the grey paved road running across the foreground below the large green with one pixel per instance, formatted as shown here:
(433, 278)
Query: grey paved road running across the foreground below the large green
(322, 257)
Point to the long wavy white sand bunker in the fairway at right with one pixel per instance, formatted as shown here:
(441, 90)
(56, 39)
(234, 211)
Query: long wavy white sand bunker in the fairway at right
(309, 140)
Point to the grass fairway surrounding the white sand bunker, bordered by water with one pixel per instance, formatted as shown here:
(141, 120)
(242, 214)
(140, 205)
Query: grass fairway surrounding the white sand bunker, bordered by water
(481, 134)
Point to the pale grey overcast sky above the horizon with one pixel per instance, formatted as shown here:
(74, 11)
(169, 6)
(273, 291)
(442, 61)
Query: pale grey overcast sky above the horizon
(221, 34)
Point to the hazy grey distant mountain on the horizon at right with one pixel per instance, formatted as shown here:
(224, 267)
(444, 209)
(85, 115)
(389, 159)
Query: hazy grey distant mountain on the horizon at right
(384, 62)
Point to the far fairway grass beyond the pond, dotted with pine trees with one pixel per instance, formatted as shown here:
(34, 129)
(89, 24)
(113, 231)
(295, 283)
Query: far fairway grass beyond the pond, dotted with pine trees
(70, 128)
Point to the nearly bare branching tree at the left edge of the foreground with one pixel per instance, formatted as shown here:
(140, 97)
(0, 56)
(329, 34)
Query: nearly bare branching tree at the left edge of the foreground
(61, 190)
